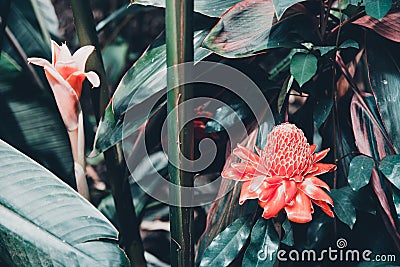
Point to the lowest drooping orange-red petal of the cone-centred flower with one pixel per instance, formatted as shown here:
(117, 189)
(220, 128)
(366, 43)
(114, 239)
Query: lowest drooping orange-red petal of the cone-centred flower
(301, 209)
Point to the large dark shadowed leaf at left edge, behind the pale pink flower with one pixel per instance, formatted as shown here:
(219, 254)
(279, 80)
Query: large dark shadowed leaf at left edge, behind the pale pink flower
(33, 123)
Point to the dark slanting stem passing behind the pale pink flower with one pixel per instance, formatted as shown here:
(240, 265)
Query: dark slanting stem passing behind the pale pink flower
(129, 224)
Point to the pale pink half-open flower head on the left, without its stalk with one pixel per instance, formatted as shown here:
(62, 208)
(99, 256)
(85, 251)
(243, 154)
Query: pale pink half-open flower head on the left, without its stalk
(65, 75)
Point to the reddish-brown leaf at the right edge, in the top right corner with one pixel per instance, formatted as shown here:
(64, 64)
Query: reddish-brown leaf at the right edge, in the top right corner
(388, 27)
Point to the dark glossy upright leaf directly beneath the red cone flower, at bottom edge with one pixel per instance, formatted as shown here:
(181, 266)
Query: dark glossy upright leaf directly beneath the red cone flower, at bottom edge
(264, 244)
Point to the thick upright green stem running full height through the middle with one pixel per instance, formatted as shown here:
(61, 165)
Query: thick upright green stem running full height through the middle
(179, 36)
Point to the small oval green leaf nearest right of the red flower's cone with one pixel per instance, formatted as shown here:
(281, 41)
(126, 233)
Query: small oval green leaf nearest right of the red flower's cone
(360, 171)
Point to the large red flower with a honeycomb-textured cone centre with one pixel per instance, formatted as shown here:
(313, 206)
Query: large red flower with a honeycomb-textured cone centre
(283, 175)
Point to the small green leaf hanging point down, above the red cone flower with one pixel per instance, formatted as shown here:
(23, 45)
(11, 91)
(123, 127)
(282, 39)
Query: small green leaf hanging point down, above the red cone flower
(303, 67)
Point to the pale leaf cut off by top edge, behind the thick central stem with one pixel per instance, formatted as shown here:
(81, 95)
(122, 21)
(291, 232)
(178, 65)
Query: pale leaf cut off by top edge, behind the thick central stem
(211, 8)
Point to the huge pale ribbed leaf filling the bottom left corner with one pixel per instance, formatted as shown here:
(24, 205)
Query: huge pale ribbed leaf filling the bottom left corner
(42, 220)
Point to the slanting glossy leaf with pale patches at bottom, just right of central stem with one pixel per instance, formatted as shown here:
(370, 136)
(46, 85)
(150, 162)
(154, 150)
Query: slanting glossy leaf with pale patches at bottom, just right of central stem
(226, 246)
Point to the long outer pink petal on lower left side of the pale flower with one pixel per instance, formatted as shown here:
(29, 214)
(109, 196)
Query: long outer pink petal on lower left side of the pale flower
(66, 98)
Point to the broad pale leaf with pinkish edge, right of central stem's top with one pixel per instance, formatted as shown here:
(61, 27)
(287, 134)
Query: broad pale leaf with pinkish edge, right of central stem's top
(249, 28)
